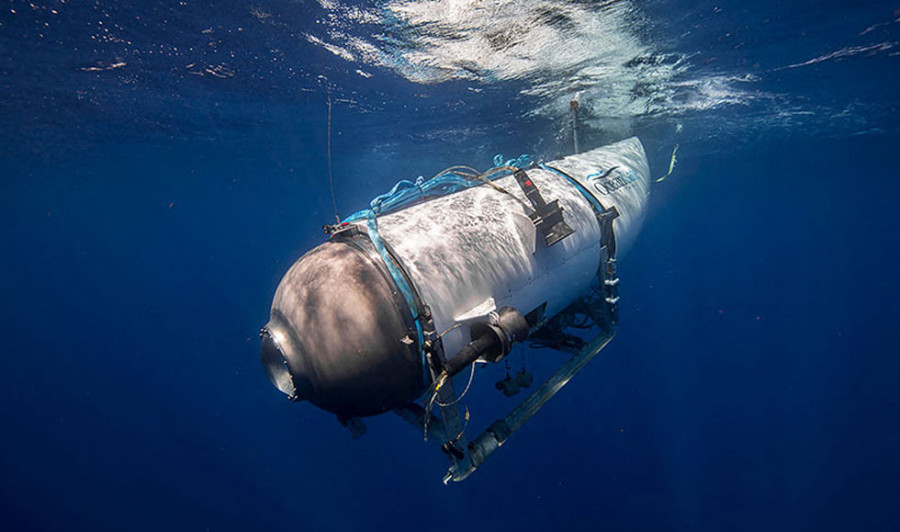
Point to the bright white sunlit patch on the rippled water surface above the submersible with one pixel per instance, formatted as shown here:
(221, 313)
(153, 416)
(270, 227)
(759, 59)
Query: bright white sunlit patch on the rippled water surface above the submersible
(558, 50)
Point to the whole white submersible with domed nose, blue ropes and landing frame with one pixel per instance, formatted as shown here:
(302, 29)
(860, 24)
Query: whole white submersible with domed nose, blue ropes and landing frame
(442, 273)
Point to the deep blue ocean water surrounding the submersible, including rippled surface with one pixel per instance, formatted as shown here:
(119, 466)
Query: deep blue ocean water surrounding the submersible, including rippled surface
(163, 164)
